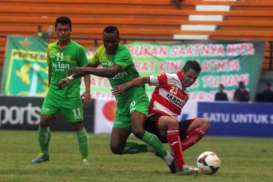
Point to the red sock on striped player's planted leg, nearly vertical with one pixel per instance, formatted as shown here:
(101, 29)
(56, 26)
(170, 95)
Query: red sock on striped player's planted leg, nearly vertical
(175, 144)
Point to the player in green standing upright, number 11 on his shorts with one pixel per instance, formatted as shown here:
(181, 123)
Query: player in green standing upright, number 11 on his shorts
(63, 55)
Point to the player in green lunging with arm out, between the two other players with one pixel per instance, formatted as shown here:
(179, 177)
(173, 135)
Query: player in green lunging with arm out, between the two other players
(132, 105)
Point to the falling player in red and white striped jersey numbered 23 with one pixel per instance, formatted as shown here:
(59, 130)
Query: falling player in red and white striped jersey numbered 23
(166, 104)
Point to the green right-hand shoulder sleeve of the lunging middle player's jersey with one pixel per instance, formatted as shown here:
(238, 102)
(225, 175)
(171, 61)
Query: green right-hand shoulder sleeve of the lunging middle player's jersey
(123, 58)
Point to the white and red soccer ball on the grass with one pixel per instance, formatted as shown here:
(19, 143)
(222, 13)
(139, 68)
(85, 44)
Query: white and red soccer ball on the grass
(208, 162)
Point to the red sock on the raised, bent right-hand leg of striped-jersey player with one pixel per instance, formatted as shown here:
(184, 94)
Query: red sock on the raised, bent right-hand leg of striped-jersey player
(192, 137)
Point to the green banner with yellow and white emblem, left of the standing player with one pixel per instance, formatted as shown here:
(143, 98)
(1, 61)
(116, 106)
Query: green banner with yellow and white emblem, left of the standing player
(25, 67)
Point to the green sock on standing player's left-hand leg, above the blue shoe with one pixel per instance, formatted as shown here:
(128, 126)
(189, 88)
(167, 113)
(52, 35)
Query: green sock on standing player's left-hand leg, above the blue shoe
(44, 136)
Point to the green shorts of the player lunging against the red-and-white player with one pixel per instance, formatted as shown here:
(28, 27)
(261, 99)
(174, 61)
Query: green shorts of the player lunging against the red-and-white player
(125, 108)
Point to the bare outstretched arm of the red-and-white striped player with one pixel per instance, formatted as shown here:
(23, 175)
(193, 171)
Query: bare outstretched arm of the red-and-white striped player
(133, 83)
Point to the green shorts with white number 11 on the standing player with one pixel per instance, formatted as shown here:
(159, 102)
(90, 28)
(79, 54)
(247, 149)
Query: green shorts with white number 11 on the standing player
(70, 107)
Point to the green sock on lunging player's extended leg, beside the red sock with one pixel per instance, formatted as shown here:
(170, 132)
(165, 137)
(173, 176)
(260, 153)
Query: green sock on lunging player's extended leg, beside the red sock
(155, 143)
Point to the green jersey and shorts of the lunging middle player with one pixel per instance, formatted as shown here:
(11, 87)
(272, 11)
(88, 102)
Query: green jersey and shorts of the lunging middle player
(131, 100)
